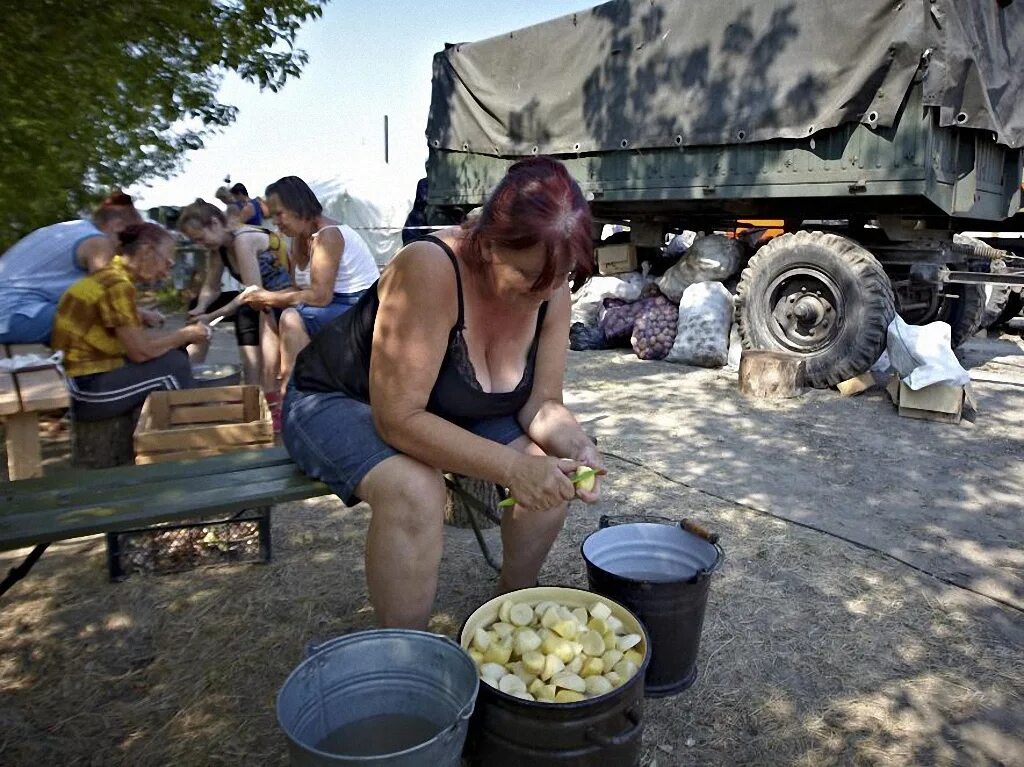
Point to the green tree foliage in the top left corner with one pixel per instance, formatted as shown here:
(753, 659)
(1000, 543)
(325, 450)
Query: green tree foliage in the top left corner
(96, 96)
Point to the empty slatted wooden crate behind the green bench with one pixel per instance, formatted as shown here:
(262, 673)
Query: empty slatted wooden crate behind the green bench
(195, 423)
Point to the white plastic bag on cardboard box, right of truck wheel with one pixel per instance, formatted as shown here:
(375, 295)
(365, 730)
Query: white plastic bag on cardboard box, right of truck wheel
(923, 355)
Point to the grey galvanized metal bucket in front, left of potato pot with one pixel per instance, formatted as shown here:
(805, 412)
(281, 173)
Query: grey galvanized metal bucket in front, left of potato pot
(372, 674)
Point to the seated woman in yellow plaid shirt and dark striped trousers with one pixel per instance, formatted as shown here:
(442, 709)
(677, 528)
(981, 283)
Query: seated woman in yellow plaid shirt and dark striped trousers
(111, 362)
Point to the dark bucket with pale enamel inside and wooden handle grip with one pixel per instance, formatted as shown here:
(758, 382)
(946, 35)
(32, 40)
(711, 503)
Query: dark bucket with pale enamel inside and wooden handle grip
(662, 574)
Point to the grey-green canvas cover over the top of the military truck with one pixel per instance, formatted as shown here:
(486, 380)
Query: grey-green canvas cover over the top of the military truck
(655, 74)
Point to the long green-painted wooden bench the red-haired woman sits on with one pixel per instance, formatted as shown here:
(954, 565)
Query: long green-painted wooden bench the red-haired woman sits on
(82, 502)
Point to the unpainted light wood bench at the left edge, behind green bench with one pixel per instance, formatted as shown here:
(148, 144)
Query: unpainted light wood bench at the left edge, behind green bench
(24, 395)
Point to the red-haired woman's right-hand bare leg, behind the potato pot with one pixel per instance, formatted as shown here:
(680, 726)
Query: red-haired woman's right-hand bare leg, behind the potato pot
(527, 536)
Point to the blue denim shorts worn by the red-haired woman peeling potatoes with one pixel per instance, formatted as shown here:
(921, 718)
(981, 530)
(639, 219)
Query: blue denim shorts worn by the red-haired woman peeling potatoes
(332, 438)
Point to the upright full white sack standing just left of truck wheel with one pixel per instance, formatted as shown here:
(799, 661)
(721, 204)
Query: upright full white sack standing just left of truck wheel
(703, 330)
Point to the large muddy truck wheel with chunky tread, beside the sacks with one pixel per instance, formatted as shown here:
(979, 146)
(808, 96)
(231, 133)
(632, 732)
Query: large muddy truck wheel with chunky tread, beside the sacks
(820, 295)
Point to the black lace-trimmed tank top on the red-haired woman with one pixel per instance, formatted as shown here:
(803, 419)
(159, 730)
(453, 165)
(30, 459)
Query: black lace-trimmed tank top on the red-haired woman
(338, 360)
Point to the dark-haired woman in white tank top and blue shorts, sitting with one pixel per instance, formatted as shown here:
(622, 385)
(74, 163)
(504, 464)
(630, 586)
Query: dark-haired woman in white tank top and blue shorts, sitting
(332, 268)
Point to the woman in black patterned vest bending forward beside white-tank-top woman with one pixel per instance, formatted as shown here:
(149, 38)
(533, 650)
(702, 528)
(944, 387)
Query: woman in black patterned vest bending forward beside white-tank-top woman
(250, 255)
